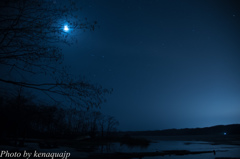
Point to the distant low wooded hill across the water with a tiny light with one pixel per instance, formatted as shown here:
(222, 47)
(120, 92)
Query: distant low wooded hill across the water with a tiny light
(233, 129)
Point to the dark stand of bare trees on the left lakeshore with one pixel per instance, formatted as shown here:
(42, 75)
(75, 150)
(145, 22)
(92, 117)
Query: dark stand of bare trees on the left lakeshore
(21, 117)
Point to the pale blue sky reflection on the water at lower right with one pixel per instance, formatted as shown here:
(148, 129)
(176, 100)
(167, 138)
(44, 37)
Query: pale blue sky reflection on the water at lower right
(221, 150)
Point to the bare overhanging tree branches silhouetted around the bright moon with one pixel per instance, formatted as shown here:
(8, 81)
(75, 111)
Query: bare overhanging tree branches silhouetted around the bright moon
(31, 32)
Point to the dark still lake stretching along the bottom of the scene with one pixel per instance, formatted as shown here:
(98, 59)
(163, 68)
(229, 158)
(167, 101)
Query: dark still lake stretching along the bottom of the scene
(222, 150)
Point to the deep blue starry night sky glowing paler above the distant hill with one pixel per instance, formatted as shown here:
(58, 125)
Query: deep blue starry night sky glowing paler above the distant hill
(171, 64)
